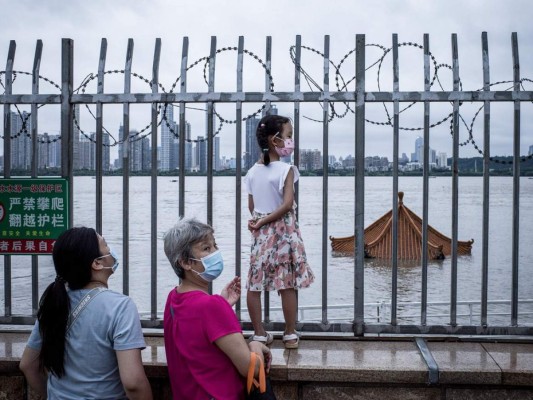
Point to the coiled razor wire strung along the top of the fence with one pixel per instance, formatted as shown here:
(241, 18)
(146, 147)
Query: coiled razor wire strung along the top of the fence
(341, 84)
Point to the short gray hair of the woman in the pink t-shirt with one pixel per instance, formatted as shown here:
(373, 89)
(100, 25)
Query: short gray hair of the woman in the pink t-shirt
(179, 239)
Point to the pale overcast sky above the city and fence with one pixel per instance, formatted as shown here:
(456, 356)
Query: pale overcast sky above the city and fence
(87, 22)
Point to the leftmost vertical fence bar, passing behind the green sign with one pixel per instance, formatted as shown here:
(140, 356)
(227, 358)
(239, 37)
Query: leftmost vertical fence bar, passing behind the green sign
(8, 89)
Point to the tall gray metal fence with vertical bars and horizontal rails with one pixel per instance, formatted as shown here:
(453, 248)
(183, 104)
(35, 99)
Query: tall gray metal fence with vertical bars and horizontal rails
(354, 101)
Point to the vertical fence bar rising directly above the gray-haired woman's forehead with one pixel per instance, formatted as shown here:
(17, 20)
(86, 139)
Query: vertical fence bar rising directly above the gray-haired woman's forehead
(210, 130)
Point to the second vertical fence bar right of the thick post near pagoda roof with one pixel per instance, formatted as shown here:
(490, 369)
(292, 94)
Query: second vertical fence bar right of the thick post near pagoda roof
(425, 214)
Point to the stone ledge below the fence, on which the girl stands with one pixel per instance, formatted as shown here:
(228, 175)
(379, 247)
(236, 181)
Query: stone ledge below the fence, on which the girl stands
(347, 368)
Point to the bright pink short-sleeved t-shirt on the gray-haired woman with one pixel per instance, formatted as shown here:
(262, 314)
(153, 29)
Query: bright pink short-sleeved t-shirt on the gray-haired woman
(197, 368)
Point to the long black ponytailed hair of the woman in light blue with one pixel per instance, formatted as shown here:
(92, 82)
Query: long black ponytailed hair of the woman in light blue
(74, 252)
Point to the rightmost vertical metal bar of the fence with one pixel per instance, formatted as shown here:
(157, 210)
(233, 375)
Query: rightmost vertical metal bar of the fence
(516, 181)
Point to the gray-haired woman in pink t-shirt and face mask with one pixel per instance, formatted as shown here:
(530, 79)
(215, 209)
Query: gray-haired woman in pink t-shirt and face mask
(207, 355)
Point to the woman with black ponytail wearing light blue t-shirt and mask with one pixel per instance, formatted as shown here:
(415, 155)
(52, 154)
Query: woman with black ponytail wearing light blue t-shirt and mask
(87, 340)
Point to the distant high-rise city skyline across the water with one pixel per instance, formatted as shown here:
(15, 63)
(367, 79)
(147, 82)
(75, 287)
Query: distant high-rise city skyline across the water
(139, 150)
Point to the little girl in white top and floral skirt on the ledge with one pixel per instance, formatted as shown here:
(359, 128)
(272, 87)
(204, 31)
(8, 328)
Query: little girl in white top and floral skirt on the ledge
(277, 259)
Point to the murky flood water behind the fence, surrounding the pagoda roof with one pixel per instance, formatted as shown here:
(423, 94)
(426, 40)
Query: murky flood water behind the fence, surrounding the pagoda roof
(340, 270)
